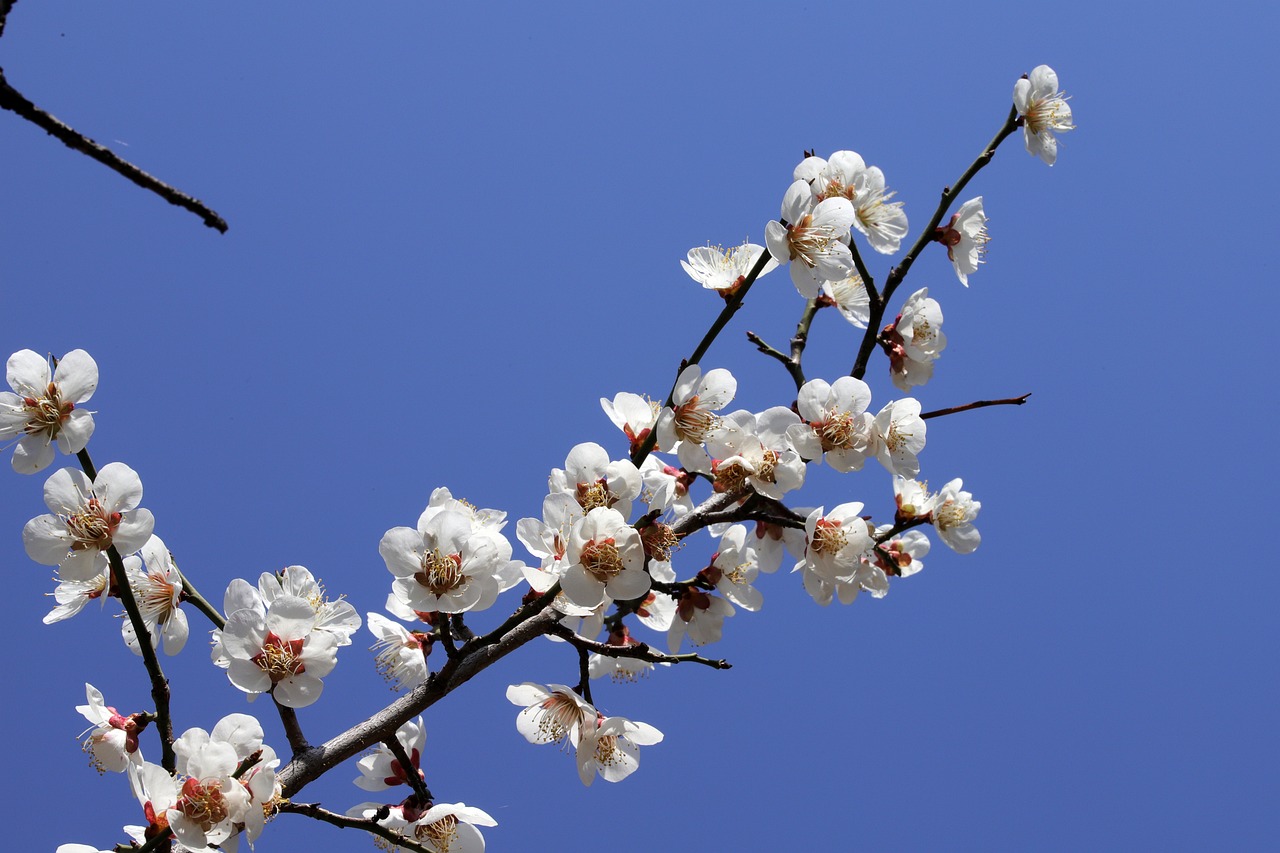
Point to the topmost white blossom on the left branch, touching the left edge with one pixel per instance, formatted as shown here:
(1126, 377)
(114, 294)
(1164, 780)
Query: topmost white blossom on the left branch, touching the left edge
(43, 409)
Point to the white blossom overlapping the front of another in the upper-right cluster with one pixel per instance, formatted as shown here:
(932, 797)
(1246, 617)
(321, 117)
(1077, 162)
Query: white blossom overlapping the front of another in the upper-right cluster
(810, 239)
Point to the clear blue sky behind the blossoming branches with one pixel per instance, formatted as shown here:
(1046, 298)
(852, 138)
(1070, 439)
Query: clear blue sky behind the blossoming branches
(454, 229)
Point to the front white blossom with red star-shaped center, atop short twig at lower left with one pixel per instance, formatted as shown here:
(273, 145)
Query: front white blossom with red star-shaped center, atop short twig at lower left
(281, 653)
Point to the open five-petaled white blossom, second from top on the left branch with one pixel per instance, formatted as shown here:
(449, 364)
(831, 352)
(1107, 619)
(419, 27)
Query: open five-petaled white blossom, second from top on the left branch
(89, 517)
